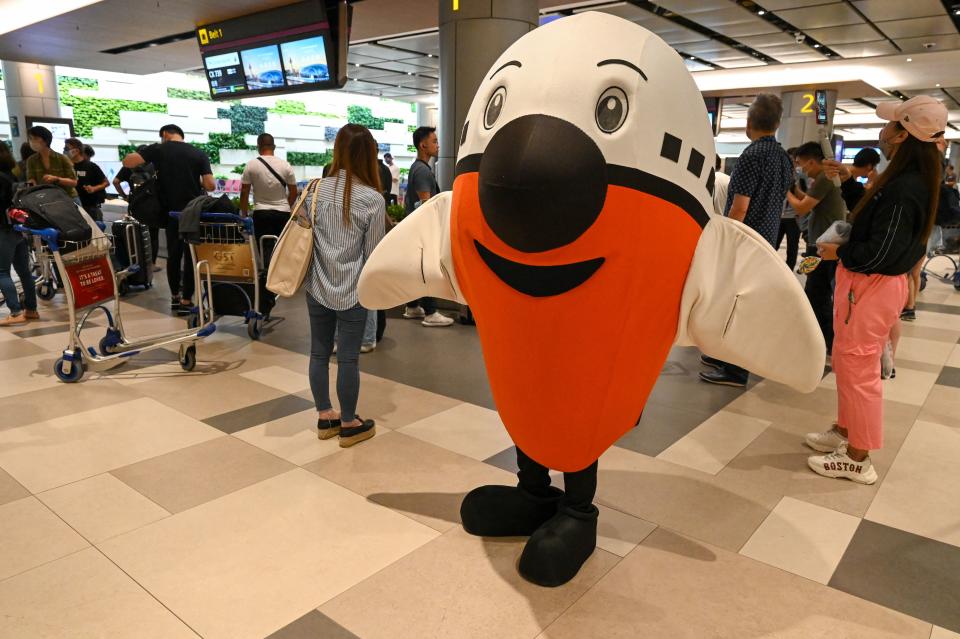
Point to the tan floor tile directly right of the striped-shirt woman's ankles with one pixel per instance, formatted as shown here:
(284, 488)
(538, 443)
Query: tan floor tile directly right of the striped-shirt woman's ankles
(396, 405)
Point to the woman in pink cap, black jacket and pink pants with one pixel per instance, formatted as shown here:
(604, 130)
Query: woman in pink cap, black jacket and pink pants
(891, 225)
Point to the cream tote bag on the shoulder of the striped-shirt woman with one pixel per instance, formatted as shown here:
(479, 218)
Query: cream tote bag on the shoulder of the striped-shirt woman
(294, 250)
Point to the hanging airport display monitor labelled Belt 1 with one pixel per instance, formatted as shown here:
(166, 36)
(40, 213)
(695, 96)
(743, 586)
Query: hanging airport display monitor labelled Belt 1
(294, 48)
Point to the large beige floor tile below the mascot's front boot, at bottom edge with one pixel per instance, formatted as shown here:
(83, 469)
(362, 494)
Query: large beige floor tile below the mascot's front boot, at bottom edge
(473, 590)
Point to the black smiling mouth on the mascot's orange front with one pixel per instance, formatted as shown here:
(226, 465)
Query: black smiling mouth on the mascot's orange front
(538, 281)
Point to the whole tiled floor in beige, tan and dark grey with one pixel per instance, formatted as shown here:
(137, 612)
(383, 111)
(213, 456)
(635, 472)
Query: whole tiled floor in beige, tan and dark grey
(146, 502)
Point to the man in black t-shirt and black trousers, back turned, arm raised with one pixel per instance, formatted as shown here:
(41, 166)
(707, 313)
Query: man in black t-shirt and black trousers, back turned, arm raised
(183, 173)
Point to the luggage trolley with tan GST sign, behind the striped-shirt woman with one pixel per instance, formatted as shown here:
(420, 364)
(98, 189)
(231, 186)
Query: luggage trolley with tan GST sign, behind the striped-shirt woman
(233, 259)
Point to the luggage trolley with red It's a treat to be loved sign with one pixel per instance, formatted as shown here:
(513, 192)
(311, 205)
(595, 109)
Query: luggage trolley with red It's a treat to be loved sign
(89, 283)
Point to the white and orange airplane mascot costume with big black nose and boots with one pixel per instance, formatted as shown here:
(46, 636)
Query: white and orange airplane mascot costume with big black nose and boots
(579, 231)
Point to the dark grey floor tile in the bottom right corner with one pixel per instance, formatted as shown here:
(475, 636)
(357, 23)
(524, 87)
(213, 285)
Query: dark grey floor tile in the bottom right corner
(915, 575)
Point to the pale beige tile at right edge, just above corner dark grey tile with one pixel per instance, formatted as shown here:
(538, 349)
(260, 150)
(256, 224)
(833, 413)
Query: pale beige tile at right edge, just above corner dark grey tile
(919, 494)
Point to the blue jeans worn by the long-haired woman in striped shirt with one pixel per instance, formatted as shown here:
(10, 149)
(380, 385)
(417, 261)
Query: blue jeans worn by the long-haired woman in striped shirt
(348, 327)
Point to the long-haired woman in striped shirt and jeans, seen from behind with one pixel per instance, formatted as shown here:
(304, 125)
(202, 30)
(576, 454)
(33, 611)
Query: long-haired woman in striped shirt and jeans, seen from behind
(350, 222)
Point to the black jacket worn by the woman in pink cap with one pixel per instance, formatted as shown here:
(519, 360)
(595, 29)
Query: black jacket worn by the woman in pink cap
(887, 235)
